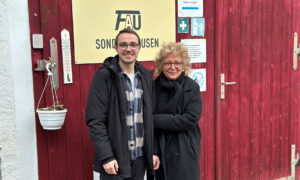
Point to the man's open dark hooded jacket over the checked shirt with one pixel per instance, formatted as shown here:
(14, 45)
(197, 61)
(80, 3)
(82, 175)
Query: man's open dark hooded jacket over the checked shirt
(106, 117)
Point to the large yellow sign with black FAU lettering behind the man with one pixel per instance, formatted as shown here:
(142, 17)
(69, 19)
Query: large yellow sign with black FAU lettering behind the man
(96, 24)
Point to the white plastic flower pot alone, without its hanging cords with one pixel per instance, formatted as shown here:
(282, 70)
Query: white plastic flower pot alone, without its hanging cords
(52, 120)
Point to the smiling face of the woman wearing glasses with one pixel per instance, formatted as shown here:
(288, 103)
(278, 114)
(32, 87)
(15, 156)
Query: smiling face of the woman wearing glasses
(172, 66)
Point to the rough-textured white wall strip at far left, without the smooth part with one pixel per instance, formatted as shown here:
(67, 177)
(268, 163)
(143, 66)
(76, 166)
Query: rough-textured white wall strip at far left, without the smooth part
(8, 139)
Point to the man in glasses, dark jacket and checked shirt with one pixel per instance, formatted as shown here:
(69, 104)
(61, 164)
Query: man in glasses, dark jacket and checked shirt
(119, 114)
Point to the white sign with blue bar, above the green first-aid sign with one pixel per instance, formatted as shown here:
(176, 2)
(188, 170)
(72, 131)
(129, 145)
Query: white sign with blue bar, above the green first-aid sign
(190, 8)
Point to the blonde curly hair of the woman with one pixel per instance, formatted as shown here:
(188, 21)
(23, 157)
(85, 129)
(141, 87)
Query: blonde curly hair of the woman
(175, 49)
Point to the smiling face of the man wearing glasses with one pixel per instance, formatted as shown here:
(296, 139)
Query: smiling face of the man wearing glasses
(128, 48)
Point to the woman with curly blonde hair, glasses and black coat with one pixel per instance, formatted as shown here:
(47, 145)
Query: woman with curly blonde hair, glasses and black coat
(177, 110)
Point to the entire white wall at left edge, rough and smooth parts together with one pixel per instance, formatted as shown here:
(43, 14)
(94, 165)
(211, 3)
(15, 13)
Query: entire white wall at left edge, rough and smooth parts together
(17, 121)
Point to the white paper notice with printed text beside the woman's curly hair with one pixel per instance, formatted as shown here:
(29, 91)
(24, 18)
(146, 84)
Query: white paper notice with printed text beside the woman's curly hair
(196, 49)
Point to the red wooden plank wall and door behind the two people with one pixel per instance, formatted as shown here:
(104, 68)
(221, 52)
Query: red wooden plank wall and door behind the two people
(245, 136)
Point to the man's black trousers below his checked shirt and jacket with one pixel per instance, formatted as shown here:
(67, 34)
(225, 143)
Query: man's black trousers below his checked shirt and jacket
(138, 168)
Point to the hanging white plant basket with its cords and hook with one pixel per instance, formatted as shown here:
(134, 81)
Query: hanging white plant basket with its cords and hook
(53, 117)
